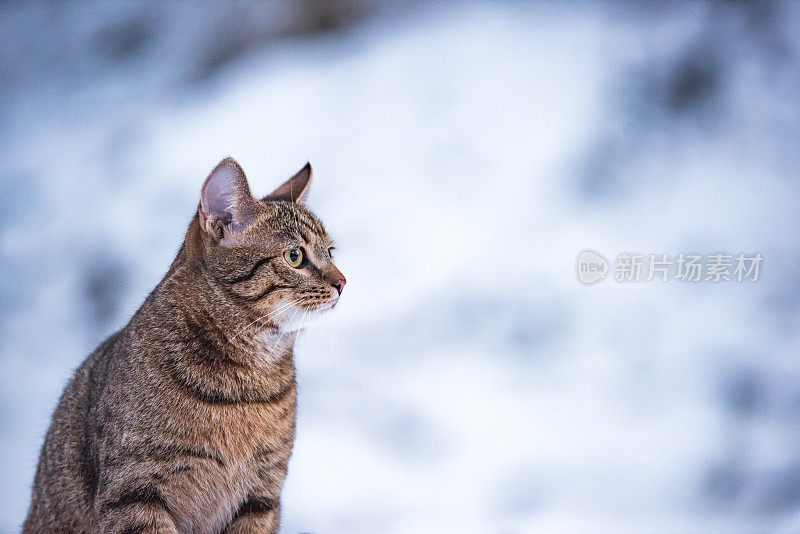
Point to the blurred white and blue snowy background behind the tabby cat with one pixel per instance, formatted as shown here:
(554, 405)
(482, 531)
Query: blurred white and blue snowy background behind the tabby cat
(464, 155)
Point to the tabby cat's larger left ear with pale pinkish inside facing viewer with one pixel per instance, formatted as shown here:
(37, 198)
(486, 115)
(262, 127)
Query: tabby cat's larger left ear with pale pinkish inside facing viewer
(225, 200)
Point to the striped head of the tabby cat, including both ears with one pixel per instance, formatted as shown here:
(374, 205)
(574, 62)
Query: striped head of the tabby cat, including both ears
(271, 256)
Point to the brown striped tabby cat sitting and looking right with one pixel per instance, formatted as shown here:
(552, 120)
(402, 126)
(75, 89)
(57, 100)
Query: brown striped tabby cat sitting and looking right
(184, 420)
